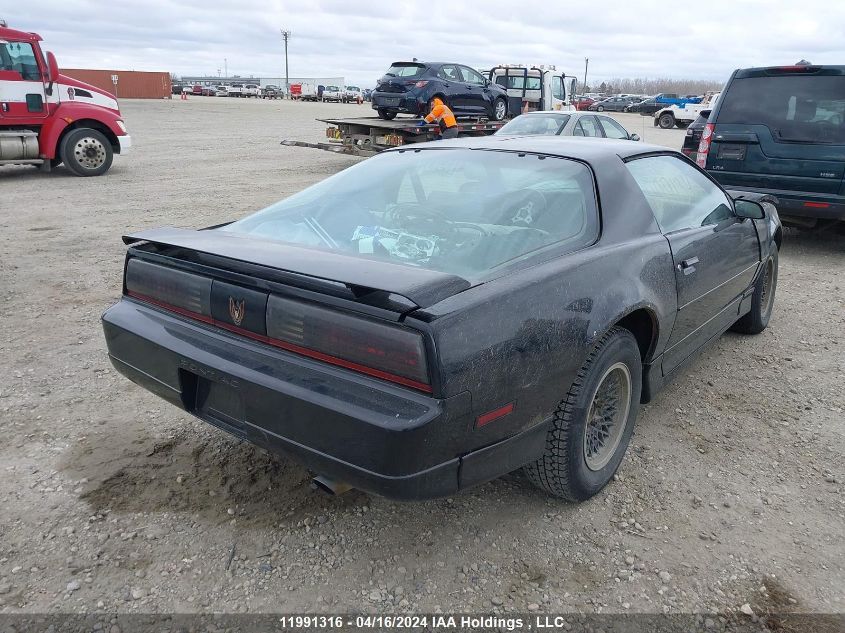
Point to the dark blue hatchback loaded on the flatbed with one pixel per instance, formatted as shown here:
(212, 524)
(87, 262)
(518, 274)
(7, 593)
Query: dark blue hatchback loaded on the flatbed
(409, 87)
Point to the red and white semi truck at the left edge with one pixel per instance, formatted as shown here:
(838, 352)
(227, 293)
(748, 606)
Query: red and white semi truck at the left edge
(47, 118)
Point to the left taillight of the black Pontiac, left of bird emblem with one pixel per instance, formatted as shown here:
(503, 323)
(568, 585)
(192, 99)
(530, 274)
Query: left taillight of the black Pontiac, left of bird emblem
(184, 292)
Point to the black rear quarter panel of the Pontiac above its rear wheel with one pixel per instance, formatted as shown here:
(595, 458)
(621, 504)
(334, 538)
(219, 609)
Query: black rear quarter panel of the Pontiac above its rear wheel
(523, 337)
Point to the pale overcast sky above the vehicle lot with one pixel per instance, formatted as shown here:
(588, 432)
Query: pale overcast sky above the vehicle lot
(359, 39)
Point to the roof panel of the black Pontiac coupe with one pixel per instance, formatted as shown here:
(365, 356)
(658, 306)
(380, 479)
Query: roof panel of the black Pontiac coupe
(586, 149)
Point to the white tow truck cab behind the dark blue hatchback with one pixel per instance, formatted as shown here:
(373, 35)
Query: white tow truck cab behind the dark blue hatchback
(532, 88)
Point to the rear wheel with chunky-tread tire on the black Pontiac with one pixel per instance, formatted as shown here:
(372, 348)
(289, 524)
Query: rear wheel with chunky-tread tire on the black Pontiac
(563, 470)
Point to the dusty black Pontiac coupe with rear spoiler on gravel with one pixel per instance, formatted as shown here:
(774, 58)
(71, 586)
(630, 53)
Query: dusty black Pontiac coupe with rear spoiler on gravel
(440, 315)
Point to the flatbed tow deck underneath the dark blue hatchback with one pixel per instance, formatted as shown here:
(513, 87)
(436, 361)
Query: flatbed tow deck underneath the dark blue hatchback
(367, 136)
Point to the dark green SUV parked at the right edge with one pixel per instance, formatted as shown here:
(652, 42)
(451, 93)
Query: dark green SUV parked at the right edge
(781, 131)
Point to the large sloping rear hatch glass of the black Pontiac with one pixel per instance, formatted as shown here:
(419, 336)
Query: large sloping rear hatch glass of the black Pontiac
(455, 211)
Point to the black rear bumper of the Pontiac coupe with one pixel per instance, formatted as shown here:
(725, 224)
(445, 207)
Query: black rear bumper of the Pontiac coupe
(372, 435)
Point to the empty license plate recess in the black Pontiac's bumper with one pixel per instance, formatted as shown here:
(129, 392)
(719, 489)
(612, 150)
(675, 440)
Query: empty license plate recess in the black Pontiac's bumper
(215, 402)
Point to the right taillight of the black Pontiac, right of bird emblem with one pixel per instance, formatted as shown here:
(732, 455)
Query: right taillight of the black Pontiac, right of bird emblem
(378, 349)
